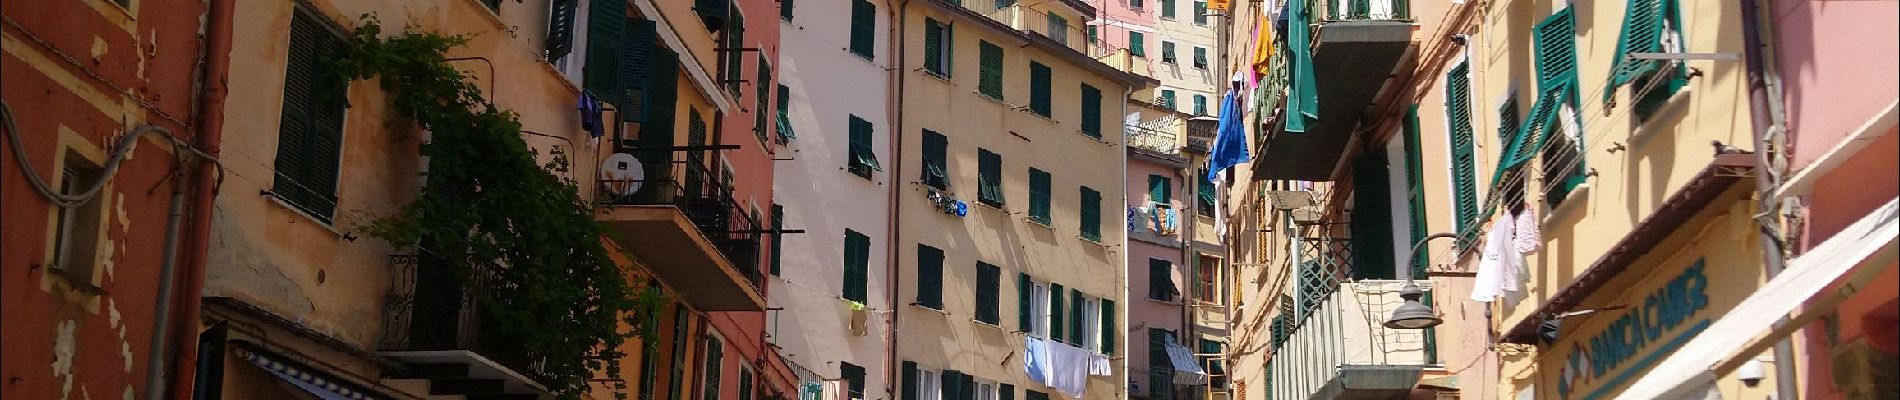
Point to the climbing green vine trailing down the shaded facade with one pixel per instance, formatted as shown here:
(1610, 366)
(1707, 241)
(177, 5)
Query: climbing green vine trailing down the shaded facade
(497, 217)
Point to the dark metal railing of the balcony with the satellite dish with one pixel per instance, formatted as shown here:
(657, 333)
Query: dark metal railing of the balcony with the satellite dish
(708, 200)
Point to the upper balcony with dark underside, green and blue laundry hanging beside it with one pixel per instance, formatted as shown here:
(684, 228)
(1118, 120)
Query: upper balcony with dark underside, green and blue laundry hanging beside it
(1356, 45)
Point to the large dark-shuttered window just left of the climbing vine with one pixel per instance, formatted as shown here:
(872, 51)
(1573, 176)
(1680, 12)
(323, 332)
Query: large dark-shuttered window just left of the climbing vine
(313, 122)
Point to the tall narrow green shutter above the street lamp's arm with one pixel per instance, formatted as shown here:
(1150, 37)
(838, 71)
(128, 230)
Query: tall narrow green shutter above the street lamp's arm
(1464, 147)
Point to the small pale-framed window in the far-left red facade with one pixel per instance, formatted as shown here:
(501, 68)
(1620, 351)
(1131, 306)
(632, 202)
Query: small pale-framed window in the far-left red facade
(77, 232)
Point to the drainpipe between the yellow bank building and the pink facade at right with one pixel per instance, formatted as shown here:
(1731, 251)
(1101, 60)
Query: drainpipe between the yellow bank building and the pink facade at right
(1772, 126)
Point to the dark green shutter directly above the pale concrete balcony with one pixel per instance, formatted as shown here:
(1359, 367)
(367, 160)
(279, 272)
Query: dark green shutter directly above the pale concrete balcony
(1373, 217)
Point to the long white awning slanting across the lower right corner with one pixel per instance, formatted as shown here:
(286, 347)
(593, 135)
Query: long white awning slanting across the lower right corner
(1857, 253)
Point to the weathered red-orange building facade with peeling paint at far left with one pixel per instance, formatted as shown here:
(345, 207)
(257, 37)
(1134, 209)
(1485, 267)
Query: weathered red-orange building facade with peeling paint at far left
(104, 247)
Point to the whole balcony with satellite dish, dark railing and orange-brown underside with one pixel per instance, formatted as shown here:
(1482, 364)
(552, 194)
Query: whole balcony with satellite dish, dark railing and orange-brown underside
(685, 227)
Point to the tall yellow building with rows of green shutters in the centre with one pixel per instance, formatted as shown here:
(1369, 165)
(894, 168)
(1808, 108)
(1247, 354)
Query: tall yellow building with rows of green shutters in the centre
(1006, 185)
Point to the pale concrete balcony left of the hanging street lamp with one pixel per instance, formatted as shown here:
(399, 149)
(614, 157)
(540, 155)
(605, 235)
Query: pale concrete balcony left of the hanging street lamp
(1339, 348)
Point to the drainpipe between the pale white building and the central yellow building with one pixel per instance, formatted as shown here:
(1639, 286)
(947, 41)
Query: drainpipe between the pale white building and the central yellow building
(894, 113)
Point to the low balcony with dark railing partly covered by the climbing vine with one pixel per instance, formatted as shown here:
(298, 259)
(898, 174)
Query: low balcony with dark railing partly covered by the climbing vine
(434, 327)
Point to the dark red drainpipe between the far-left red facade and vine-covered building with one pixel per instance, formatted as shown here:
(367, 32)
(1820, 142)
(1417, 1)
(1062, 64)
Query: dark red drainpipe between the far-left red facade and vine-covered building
(210, 120)
